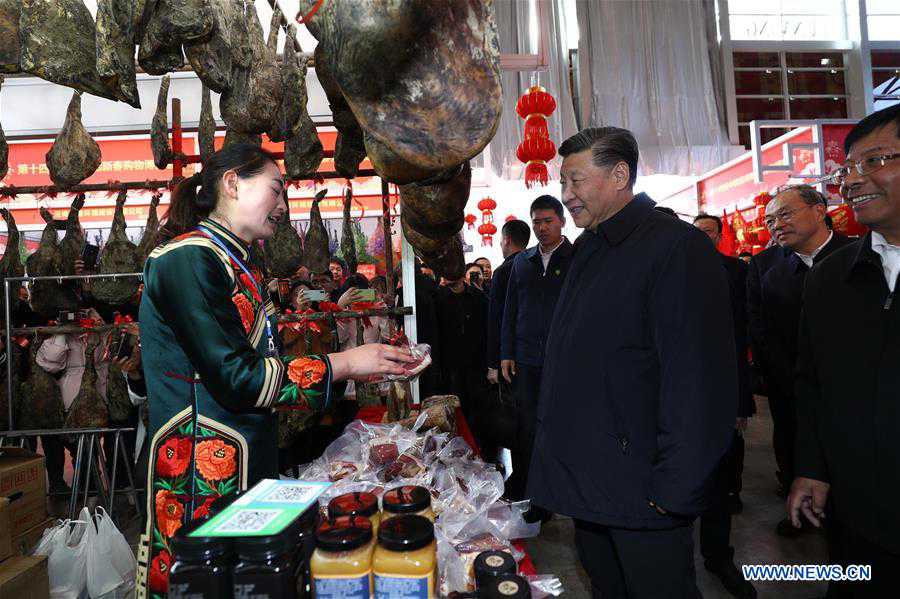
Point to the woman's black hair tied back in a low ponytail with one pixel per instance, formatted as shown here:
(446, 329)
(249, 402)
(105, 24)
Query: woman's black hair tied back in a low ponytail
(194, 198)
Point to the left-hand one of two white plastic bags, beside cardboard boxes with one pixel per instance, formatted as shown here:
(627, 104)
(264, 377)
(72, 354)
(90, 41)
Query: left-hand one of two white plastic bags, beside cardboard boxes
(65, 546)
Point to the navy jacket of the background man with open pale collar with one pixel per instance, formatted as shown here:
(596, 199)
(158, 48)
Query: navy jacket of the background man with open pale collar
(530, 300)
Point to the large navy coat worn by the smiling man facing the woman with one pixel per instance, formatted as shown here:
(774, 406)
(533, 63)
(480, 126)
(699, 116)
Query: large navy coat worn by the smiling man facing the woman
(639, 390)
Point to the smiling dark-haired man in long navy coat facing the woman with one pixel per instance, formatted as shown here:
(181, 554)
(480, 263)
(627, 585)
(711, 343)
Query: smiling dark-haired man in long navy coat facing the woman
(639, 392)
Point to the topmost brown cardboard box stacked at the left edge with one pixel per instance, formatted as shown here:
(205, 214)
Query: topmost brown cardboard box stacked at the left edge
(23, 480)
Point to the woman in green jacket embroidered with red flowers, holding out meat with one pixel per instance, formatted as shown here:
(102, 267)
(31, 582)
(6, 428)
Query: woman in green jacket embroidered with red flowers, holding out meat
(211, 361)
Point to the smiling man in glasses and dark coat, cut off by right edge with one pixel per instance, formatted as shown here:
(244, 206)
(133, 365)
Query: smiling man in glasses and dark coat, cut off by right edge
(848, 371)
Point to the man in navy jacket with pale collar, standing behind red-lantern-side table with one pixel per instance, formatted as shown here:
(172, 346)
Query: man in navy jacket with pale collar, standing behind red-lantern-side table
(534, 285)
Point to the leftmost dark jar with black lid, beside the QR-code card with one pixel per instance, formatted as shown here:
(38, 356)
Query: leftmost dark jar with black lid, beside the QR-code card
(201, 566)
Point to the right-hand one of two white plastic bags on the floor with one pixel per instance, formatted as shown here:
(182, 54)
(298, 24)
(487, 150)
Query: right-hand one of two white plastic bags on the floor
(110, 561)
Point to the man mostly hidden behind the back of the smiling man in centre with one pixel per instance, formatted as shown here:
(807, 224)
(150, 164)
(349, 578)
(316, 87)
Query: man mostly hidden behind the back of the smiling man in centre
(715, 524)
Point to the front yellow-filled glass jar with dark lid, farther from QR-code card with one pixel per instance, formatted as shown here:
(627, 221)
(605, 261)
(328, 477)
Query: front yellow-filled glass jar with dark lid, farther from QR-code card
(405, 558)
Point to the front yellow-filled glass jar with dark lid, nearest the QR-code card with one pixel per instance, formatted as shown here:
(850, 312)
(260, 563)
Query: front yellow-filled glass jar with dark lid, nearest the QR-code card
(341, 565)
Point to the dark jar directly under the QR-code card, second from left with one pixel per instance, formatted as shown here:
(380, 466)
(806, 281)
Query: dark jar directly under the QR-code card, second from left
(268, 568)
